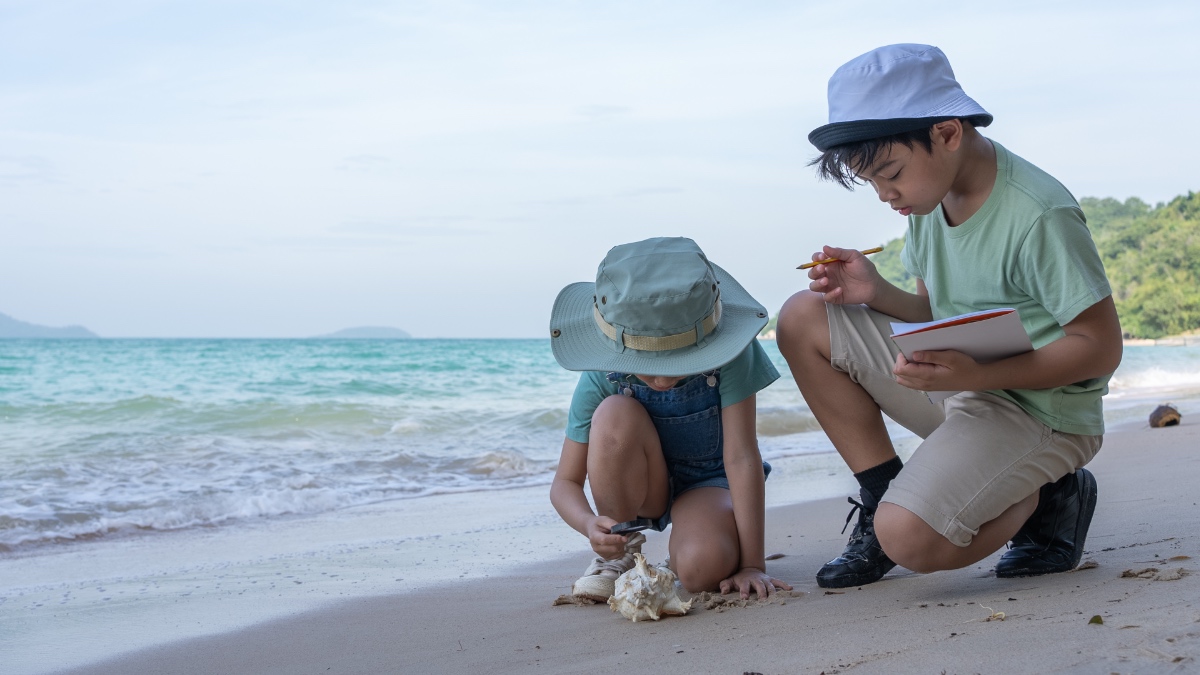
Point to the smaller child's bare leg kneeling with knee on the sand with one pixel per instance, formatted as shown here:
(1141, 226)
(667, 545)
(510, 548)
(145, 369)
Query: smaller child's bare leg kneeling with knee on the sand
(705, 546)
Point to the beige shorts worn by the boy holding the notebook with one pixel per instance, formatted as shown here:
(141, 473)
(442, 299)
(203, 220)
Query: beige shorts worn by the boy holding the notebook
(981, 453)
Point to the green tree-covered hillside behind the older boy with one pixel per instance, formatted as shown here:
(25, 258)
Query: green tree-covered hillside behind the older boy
(1151, 254)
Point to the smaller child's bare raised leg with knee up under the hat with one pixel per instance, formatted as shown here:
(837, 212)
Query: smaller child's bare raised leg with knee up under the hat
(626, 465)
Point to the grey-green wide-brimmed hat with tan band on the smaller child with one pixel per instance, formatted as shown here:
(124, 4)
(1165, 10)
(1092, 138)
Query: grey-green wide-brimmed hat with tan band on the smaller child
(659, 308)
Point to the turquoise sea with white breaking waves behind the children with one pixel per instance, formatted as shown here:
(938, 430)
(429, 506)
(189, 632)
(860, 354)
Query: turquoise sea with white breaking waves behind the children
(119, 438)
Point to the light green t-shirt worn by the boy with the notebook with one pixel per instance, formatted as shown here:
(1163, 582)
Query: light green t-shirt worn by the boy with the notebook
(1028, 248)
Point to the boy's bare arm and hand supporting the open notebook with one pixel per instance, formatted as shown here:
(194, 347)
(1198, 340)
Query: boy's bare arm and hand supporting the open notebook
(1090, 349)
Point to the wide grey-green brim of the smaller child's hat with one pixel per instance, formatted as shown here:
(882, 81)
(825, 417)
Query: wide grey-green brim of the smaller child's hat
(579, 344)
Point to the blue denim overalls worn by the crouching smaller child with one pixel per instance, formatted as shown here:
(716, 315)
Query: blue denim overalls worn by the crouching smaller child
(688, 420)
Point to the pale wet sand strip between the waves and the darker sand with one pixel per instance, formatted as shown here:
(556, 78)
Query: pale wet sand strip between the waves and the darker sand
(113, 598)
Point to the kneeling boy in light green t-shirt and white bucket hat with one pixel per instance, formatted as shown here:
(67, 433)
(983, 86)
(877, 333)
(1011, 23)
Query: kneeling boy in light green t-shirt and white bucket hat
(1003, 461)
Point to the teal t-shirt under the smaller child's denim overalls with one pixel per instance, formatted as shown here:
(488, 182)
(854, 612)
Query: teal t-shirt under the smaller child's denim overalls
(748, 374)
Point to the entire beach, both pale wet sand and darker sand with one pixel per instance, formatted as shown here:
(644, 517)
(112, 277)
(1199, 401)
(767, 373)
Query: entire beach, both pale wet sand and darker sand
(289, 596)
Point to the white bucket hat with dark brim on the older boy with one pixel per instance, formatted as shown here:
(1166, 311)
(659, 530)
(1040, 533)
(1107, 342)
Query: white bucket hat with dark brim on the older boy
(891, 91)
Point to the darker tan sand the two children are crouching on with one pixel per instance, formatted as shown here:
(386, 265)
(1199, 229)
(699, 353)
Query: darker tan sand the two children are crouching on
(1139, 580)
